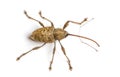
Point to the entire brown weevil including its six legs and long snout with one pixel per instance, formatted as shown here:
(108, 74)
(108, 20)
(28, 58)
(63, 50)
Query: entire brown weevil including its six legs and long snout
(50, 34)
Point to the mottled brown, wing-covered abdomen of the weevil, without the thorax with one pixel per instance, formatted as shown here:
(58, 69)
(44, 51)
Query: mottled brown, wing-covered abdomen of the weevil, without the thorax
(44, 35)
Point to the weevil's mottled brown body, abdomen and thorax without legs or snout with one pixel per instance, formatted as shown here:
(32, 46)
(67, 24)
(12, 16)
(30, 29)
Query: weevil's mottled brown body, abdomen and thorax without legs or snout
(48, 34)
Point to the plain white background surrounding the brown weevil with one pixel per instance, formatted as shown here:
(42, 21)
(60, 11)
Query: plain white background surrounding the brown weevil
(15, 27)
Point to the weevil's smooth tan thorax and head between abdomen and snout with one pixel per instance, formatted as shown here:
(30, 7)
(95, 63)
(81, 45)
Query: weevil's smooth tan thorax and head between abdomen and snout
(60, 34)
